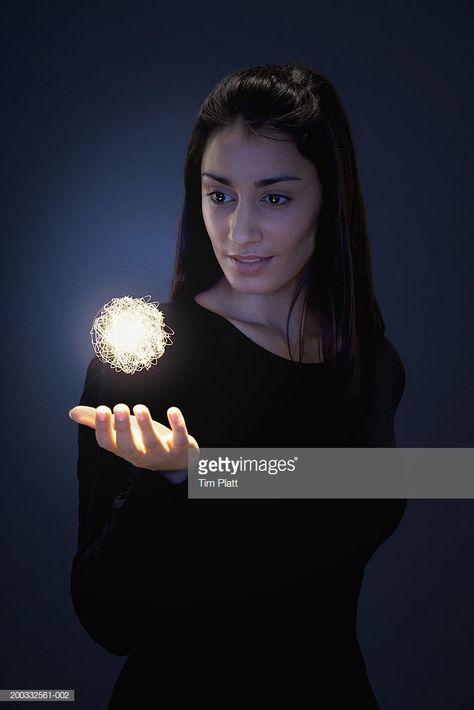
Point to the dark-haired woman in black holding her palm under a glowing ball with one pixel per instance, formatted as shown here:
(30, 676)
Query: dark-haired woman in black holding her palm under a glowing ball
(279, 341)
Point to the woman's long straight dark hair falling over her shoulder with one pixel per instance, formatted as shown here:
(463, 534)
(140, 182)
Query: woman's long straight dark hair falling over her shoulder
(336, 284)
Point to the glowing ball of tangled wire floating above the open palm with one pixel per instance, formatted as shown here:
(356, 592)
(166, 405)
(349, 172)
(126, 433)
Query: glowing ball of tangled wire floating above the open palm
(130, 334)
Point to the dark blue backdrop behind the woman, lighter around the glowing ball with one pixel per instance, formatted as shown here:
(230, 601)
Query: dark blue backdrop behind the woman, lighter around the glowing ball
(98, 100)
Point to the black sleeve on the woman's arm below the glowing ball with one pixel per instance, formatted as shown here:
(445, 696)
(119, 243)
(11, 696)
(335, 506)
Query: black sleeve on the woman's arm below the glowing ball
(116, 572)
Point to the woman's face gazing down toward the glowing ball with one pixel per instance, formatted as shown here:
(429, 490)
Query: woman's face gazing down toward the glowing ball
(261, 201)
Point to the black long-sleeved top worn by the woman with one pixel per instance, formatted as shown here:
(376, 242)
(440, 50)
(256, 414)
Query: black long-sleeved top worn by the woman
(158, 575)
